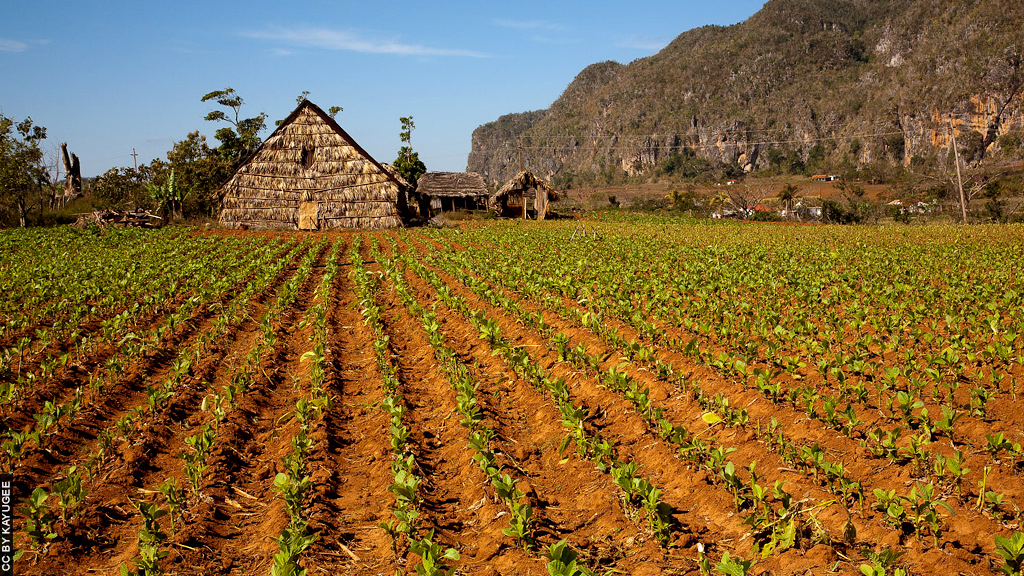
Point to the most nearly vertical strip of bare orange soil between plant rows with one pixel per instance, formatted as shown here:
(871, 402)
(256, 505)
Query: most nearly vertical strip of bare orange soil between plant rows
(351, 460)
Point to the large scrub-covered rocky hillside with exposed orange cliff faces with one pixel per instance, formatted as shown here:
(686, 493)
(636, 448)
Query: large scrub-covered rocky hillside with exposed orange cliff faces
(802, 86)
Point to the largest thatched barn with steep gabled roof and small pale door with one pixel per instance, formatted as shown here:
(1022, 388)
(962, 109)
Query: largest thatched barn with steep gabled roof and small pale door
(311, 175)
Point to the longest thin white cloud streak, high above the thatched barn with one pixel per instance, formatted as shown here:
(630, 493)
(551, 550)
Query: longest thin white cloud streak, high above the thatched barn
(340, 40)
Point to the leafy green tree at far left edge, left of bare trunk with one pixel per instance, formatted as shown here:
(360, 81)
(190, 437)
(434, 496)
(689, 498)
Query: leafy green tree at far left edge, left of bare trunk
(23, 173)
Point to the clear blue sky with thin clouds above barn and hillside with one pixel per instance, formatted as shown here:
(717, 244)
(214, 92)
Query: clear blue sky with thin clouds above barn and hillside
(108, 77)
